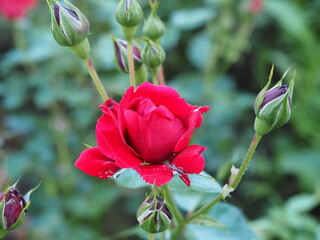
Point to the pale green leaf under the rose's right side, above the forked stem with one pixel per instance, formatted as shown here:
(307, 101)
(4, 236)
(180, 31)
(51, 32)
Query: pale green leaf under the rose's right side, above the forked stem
(198, 184)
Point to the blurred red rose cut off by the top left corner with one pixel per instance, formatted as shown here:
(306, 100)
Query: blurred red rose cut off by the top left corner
(16, 9)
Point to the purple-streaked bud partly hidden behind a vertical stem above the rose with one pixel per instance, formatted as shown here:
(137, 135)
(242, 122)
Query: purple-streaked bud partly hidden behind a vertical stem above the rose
(121, 55)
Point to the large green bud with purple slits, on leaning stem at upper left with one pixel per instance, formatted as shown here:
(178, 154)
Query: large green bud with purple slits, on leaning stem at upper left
(70, 27)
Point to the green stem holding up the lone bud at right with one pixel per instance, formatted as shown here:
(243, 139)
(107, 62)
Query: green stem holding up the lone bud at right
(254, 143)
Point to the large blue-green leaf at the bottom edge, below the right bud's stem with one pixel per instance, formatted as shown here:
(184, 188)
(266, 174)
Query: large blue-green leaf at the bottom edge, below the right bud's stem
(228, 215)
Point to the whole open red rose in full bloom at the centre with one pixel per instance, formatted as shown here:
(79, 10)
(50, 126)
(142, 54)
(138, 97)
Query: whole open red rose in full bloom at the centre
(148, 131)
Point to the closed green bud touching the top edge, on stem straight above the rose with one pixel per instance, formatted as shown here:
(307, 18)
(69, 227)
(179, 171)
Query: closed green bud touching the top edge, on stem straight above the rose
(129, 14)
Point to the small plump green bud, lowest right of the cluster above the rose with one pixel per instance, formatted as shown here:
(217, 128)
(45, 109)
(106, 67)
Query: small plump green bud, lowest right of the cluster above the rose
(152, 55)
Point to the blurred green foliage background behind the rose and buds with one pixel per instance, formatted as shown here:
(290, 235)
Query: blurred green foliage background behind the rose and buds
(218, 54)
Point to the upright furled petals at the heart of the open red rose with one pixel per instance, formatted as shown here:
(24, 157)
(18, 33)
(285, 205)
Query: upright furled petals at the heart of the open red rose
(154, 137)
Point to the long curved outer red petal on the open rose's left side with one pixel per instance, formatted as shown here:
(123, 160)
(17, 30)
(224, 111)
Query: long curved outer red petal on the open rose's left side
(111, 143)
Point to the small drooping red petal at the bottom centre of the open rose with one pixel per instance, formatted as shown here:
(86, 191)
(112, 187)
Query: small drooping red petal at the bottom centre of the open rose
(155, 174)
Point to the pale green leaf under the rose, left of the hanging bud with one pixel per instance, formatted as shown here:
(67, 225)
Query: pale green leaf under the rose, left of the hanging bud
(130, 179)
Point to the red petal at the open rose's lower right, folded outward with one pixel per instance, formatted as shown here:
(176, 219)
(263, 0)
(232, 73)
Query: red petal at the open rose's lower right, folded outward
(190, 160)
